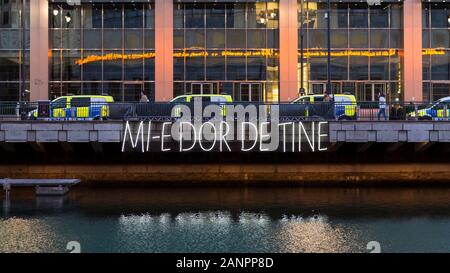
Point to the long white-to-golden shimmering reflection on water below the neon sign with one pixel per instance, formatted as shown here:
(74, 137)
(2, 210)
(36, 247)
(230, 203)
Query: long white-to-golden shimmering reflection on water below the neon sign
(215, 231)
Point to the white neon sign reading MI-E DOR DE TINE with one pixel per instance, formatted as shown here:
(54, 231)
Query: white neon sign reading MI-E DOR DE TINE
(233, 128)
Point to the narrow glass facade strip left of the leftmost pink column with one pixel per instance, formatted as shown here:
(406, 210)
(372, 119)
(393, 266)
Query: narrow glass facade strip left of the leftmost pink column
(14, 49)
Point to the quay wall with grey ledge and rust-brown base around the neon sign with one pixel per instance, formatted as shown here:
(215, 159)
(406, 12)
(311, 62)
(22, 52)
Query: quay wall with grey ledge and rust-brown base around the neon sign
(357, 152)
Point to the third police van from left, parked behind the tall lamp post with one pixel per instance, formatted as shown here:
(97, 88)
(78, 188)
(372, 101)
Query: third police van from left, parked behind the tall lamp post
(345, 106)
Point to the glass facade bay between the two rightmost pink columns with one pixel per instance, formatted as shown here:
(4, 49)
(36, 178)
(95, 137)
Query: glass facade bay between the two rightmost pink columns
(366, 49)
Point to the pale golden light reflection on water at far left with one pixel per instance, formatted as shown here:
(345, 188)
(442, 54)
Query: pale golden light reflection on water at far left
(26, 235)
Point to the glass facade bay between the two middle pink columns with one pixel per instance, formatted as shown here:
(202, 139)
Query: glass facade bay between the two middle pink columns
(227, 48)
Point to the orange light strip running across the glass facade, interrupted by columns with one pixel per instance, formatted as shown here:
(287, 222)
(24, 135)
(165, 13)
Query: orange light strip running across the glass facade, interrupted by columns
(270, 53)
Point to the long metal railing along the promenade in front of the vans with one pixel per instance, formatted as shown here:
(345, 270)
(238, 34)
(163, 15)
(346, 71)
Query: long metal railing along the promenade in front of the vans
(155, 111)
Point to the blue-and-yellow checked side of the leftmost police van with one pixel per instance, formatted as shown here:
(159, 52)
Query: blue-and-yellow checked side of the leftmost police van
(87, 107)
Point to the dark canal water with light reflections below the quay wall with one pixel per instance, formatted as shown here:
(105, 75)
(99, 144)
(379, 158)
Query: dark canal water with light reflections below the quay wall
(228, 220)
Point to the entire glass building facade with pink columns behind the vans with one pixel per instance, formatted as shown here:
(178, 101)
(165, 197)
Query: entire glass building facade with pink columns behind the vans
(253, 50)
